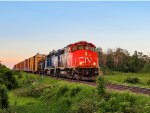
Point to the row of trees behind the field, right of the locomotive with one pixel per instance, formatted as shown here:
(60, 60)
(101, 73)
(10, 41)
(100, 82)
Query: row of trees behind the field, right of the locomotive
(121, 60)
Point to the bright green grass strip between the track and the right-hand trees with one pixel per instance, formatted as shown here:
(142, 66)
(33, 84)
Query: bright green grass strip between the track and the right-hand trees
(119, 78)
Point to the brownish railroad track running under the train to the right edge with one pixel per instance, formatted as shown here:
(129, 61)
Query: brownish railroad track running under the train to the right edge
(112, 86)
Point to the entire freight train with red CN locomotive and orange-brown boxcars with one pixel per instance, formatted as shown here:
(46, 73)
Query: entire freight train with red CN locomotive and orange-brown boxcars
(76, 61)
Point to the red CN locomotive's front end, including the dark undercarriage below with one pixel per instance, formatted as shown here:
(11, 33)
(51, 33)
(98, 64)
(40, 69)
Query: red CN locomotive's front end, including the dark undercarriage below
(83, 58)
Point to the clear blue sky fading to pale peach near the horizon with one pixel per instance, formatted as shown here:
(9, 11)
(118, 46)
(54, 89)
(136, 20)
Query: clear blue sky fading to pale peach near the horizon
(27, 28)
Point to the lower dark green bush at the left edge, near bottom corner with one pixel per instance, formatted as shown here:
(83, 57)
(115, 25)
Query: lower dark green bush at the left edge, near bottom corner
(3, 97)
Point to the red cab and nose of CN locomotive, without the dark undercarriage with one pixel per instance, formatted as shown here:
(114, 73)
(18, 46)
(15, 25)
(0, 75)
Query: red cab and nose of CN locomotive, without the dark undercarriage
(84, 55)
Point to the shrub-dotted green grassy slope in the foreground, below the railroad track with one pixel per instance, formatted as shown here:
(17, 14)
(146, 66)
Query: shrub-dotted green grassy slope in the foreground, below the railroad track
(48, 95)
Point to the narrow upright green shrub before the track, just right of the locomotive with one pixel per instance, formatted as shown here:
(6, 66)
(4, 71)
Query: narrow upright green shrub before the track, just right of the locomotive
(101, 86)
